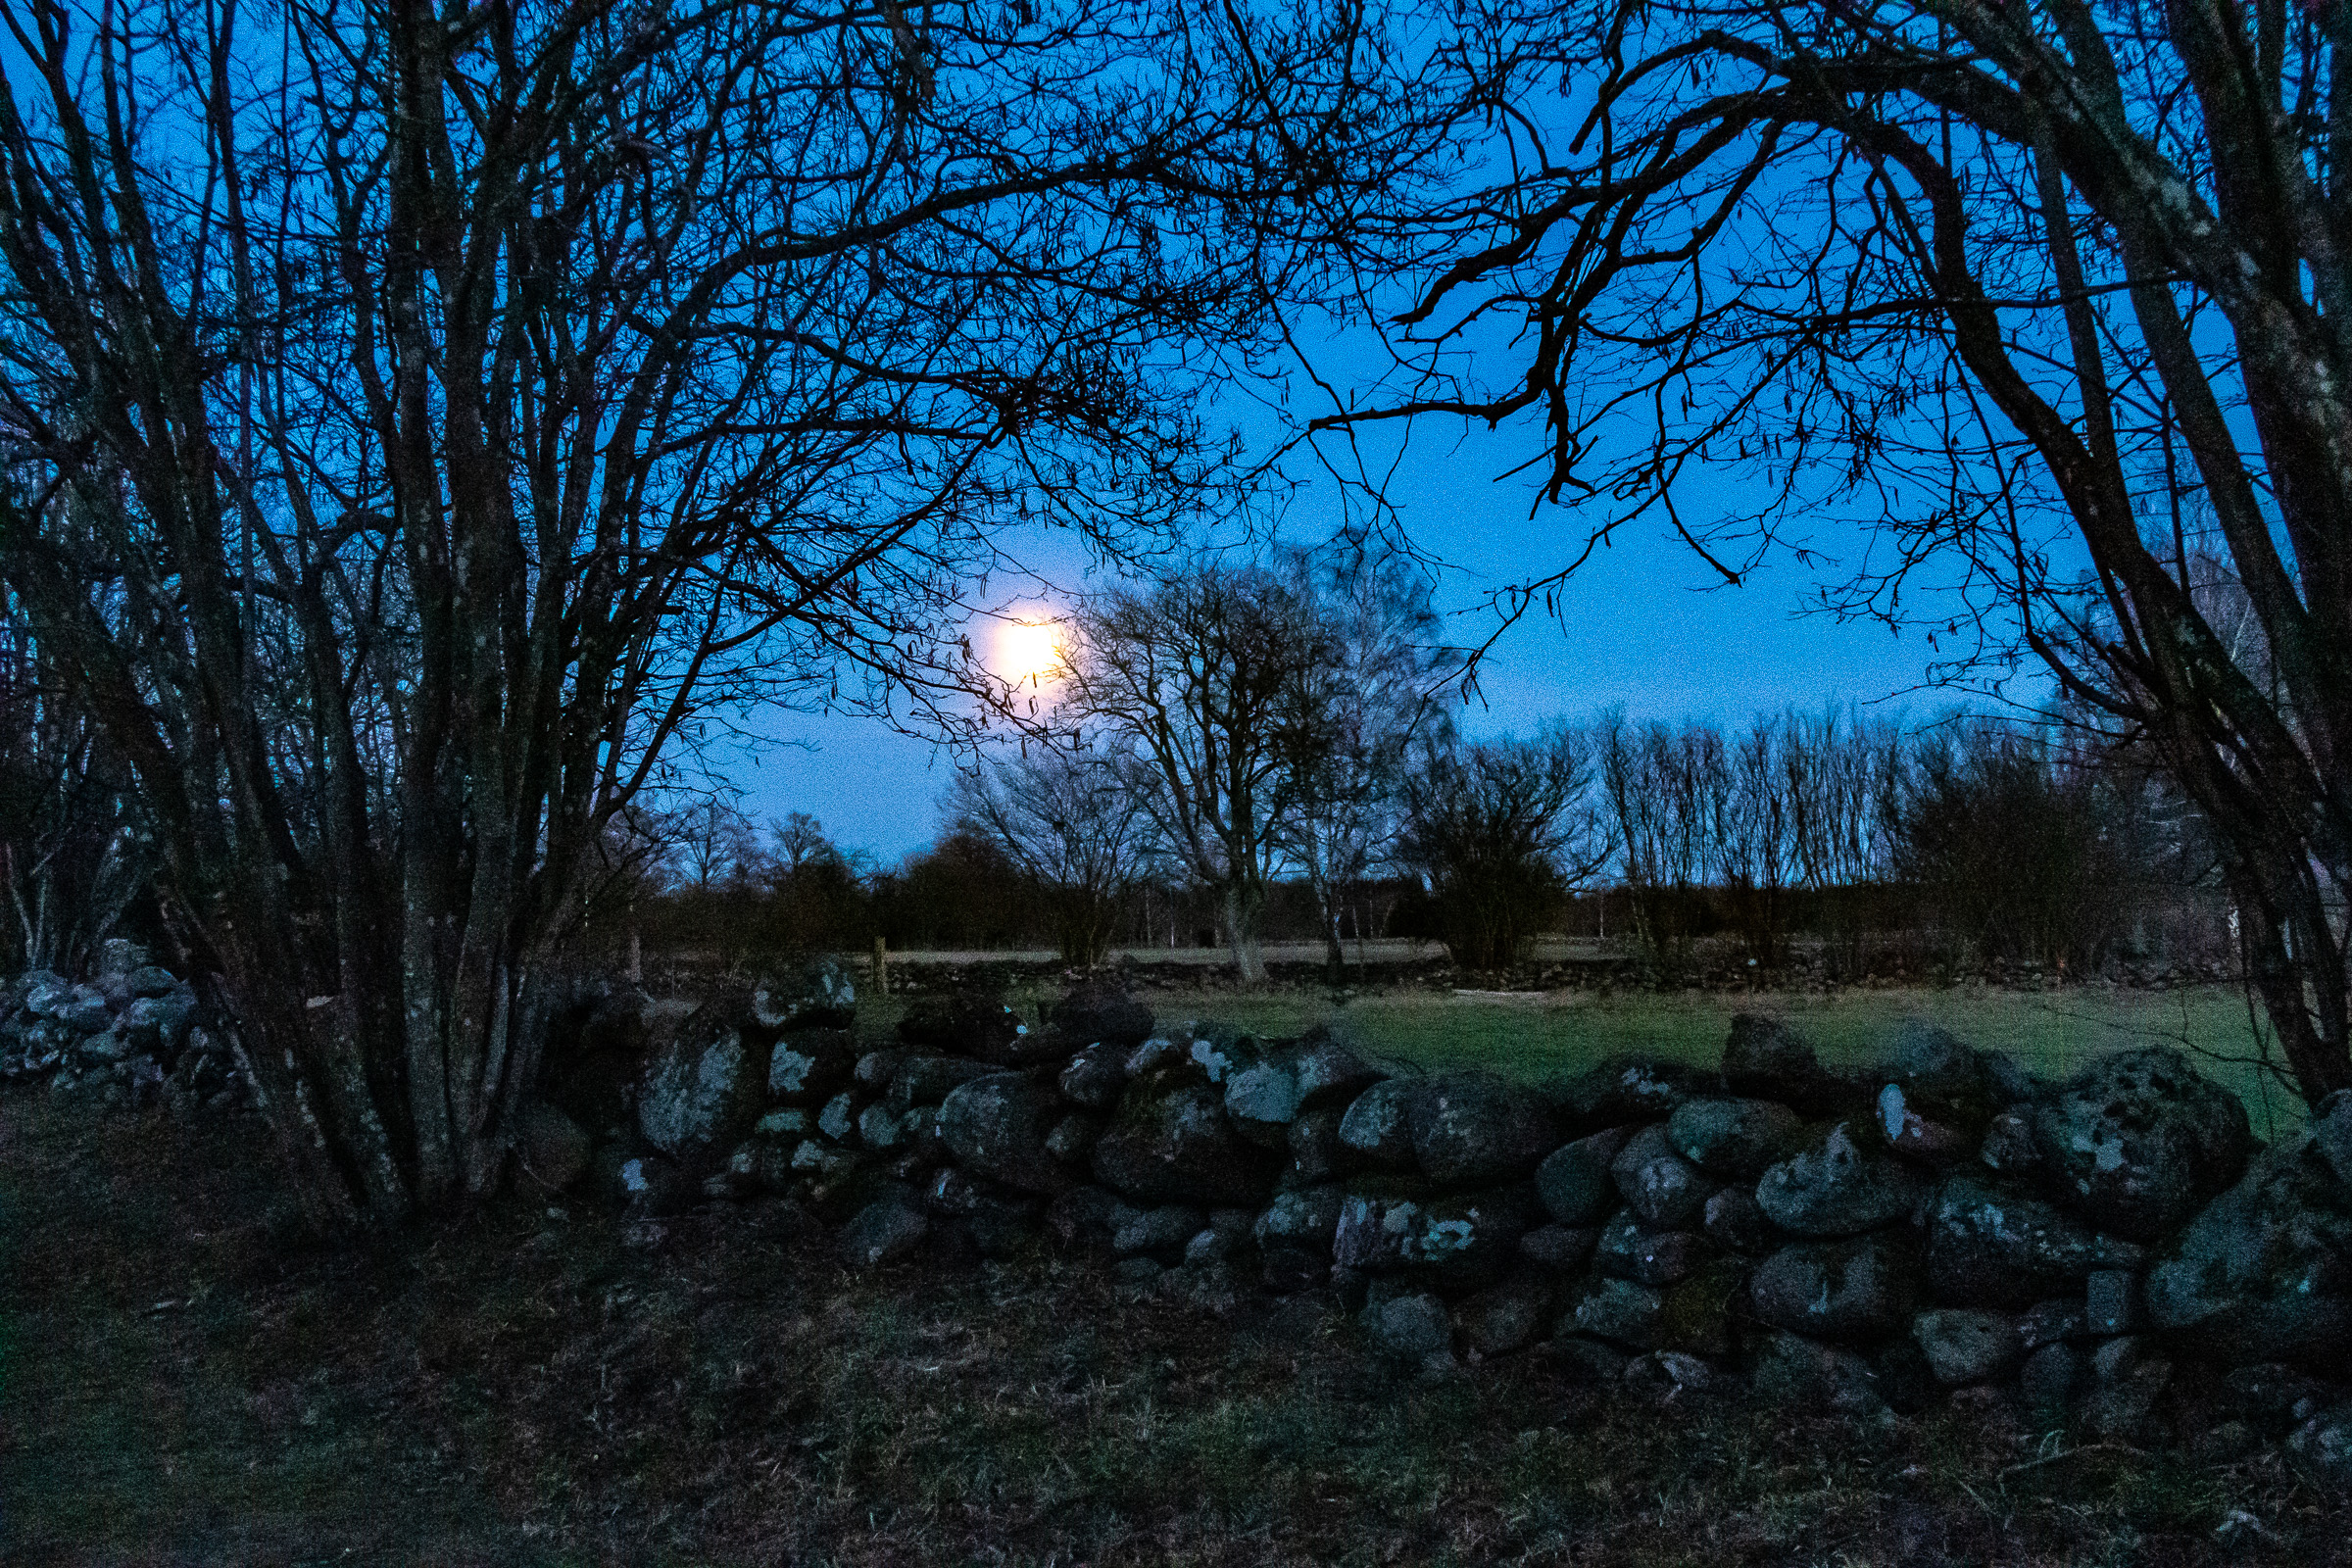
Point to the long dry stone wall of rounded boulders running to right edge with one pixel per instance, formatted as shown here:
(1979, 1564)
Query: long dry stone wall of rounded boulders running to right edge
(2104, 1252)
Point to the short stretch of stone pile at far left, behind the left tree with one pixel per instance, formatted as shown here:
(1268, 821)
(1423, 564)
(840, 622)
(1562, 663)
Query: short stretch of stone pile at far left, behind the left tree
(131, 1036)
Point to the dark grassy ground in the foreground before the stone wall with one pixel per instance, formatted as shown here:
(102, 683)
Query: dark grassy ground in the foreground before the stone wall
(185, 1383)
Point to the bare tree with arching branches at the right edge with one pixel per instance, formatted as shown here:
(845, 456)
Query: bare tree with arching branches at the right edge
(2019, 290)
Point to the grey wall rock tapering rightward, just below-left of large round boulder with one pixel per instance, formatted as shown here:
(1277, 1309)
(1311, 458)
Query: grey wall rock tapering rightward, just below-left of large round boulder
(1998, 1249)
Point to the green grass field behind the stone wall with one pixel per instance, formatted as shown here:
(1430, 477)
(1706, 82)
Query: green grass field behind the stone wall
(1539, 1036)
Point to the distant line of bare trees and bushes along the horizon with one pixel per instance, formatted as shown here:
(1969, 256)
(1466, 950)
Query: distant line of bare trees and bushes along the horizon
(1255, 753)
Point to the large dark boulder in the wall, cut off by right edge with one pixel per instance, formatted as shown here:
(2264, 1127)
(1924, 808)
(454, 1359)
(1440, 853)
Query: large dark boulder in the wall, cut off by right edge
(2266, 1271)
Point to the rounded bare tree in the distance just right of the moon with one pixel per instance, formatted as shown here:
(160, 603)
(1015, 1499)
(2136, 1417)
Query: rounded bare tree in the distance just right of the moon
(1196, 678)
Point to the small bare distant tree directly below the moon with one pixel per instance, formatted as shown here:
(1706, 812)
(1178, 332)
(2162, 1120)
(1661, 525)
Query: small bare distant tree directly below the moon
(1076, 824)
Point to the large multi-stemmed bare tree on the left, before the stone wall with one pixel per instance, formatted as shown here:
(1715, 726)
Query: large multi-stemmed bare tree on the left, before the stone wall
(420, 420)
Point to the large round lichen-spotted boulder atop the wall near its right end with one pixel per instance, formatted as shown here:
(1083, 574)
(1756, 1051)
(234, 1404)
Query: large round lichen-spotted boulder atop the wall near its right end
(2137, 1141)
